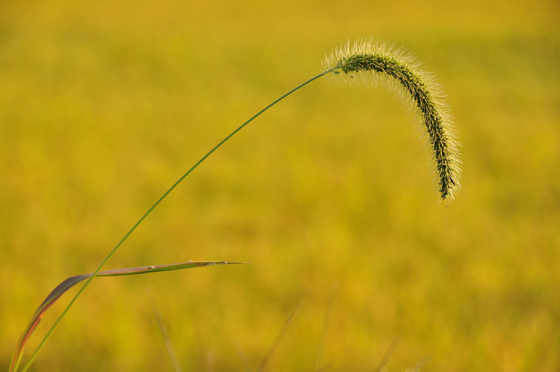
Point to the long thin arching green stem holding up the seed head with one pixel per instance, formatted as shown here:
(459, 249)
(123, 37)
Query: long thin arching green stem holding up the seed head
(153, 207)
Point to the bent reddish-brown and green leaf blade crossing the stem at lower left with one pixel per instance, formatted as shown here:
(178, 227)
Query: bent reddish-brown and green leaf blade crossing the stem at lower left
(60, 289)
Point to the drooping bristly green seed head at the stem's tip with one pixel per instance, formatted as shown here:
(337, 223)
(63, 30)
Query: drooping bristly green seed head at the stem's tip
(367, 61)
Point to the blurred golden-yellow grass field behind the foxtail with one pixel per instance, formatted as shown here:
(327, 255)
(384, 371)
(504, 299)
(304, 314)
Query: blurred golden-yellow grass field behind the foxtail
(103, 106)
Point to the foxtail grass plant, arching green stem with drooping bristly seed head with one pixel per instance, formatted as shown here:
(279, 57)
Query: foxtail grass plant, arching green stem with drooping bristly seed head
(363, 61)
